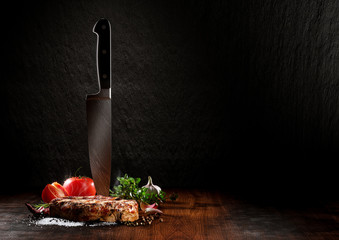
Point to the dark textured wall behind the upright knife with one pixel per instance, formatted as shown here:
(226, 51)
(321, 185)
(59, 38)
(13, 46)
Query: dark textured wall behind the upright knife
(240, 96)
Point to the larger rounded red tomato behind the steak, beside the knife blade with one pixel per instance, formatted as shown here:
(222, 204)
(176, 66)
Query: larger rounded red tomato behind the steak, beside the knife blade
(80, 186)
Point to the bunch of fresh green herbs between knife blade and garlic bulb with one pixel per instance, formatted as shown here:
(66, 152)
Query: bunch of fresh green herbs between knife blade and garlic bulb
(129, 189)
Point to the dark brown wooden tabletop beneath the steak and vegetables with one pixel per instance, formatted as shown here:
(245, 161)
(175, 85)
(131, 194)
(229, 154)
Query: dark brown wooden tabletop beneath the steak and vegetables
(197, 214)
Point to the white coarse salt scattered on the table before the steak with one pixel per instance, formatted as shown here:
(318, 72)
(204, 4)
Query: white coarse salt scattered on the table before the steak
(48, 221)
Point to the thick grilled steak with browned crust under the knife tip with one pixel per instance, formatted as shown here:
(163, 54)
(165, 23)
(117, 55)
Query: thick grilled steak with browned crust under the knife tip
(94, 208)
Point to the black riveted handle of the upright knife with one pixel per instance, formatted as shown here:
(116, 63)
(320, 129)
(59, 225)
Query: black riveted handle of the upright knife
(103, 30)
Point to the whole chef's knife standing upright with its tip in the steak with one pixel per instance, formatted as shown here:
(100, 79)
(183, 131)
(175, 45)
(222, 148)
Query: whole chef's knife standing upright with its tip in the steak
(98, 108)
